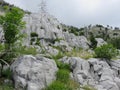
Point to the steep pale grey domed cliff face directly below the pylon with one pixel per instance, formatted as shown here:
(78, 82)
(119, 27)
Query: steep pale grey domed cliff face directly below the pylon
(46, 26)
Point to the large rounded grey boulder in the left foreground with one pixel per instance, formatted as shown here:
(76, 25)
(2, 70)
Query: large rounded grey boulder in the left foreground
(33, 73)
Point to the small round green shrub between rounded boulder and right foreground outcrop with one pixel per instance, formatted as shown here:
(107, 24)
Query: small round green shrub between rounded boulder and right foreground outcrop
(63, 75)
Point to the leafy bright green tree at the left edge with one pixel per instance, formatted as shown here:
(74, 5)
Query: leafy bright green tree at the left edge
(12, 24)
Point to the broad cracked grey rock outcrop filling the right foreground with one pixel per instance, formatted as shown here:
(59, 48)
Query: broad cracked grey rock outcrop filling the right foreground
(95, 72)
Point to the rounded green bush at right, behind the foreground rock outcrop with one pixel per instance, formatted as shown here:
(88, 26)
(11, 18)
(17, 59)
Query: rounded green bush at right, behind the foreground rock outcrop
(106, 51)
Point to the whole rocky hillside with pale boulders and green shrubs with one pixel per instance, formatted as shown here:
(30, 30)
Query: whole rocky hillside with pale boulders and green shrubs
(54, 56)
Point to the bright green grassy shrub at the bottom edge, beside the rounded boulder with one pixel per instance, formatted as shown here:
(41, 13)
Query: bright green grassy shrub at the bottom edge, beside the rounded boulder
(57, 85)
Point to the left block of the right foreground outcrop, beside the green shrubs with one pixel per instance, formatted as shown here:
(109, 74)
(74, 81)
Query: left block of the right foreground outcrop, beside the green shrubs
(80, 68)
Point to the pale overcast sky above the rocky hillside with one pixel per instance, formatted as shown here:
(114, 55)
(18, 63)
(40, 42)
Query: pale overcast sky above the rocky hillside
(78, 12)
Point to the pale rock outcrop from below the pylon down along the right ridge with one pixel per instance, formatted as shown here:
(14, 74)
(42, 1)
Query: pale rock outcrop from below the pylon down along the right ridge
(49, 30)
